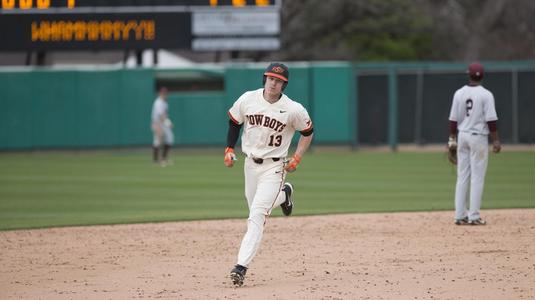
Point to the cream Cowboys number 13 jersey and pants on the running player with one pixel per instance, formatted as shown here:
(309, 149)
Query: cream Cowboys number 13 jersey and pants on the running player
(267, 134)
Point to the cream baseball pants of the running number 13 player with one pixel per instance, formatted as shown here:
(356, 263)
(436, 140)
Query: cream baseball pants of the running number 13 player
(263, 190)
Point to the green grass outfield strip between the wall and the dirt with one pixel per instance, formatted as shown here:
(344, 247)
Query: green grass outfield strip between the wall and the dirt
(110, 187)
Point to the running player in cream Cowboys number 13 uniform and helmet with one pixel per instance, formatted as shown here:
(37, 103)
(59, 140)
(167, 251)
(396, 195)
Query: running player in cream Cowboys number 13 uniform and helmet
(269, 120)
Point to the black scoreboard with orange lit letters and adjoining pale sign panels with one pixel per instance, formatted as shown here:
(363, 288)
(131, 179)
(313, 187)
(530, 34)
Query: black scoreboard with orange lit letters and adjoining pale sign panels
(41, 25)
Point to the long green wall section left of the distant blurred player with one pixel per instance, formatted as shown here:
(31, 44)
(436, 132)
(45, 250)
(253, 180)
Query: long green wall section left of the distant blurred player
(73, 109)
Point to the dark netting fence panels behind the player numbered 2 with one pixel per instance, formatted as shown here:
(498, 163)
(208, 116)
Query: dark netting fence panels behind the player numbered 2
(424, 102)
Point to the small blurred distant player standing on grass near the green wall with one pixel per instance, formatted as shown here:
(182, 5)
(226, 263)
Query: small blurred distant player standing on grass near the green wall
(161, 128)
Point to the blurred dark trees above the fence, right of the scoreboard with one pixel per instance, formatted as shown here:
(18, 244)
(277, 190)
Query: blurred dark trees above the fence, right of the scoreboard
(405, 30)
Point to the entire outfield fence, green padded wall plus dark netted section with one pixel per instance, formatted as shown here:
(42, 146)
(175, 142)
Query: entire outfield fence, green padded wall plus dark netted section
(351, 104)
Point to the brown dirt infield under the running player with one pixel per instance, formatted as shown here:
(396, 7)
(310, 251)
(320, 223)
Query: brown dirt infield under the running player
(360, 256)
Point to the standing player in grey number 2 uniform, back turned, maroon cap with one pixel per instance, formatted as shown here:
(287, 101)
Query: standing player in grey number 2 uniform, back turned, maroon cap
(474, 117)
